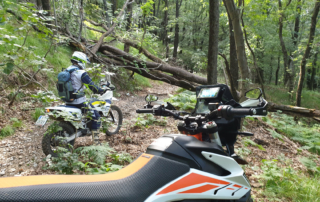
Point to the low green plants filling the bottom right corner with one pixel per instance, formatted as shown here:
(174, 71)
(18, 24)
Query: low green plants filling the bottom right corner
(285, 184)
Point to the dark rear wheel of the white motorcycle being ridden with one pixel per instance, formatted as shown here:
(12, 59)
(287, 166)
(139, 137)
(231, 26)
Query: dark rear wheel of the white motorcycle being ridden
(51, 141)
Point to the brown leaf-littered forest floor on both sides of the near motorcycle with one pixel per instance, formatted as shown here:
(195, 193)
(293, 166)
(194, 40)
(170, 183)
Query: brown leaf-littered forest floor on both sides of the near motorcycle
(21, 154)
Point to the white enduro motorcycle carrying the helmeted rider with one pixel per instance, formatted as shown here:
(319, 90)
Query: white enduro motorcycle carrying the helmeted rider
(111, 123)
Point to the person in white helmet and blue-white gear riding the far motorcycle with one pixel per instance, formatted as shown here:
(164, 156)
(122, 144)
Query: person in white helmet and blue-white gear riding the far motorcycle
(80, 80)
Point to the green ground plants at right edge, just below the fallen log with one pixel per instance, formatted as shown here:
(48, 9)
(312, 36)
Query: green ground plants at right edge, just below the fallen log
(308, 134)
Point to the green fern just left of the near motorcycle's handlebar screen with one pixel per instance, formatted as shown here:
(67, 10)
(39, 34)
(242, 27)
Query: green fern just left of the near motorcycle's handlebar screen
(185, 100)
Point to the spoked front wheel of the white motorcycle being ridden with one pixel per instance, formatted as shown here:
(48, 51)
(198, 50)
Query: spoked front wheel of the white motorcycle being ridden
(114, 121)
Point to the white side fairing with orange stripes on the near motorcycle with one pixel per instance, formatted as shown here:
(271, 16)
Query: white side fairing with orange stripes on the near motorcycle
(197, 184)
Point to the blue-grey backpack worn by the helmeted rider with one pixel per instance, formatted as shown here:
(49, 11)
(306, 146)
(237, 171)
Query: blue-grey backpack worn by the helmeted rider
(65, 88)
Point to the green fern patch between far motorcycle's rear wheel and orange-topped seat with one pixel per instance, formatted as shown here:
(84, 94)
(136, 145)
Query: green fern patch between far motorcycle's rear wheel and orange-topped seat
(91, 160)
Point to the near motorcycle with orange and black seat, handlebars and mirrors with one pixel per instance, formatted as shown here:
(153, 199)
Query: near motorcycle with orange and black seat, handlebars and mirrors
(175, 167)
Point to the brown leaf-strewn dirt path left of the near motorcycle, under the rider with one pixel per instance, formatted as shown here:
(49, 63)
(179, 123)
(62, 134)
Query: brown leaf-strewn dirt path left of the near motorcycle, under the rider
(21, 154)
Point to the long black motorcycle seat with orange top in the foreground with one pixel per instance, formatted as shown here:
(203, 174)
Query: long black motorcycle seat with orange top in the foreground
(134, 183)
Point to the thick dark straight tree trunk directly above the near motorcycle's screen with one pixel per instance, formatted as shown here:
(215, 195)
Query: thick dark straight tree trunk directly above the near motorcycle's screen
(212, 72)
